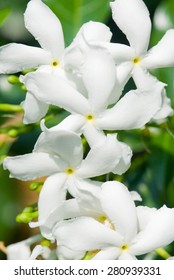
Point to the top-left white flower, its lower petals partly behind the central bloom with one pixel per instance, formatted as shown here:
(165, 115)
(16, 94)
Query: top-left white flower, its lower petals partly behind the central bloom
(43, 24)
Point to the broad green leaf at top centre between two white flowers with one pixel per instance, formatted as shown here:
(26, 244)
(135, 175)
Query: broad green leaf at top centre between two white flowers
(73, 13)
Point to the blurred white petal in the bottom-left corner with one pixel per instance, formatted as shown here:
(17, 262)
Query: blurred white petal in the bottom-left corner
(18, 251)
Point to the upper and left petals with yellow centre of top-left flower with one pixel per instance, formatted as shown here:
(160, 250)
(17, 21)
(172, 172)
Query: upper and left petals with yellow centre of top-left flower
(47, 30)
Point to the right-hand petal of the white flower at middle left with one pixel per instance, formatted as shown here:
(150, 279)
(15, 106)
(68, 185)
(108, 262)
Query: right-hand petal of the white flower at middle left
(101, 159)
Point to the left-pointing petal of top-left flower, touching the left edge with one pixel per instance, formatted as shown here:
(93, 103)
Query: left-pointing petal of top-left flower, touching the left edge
(17, 57)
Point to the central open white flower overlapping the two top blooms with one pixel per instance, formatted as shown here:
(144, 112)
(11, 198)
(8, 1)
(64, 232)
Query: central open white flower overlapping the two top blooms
(89, 110)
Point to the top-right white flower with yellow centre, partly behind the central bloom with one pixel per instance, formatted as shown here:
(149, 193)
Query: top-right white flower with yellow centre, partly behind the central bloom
(132, 17)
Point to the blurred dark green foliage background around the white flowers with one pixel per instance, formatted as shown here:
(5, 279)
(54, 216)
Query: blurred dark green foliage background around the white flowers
(152, 169)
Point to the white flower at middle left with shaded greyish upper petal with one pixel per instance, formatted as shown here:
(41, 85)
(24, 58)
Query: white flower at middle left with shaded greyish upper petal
(59, 156)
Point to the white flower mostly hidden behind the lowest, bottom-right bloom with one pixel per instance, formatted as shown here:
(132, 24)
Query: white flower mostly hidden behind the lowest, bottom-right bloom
(86, 204)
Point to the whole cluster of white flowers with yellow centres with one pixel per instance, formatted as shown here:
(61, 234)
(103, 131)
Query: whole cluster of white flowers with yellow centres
(87, 79)
